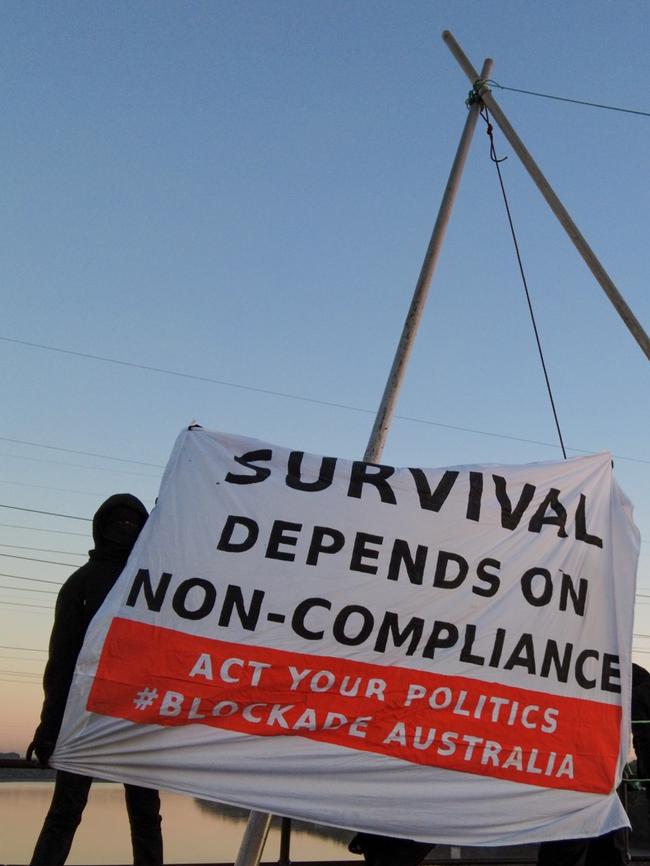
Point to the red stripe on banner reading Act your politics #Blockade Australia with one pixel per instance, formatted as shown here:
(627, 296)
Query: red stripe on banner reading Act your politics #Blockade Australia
(152, 675)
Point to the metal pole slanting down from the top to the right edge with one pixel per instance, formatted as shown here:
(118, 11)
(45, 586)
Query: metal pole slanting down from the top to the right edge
(633, 324)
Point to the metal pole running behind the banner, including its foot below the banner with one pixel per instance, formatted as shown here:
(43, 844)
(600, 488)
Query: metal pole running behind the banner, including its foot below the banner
(257, 829)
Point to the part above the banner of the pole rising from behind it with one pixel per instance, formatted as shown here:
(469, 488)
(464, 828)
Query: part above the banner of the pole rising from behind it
(388, 401)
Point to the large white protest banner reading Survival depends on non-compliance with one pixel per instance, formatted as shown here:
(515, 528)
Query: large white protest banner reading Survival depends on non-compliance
(441, 654)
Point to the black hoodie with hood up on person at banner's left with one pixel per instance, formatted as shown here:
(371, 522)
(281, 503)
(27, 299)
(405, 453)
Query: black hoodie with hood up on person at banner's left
(78, 601)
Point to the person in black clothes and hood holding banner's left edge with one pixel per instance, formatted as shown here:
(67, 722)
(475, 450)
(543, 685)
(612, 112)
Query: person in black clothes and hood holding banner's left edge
(116, 526)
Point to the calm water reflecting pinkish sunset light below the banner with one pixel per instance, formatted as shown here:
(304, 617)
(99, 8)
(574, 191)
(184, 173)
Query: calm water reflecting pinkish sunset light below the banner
(192, 831)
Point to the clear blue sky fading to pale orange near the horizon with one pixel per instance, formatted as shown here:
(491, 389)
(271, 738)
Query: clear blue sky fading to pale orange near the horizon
(244, 191)
